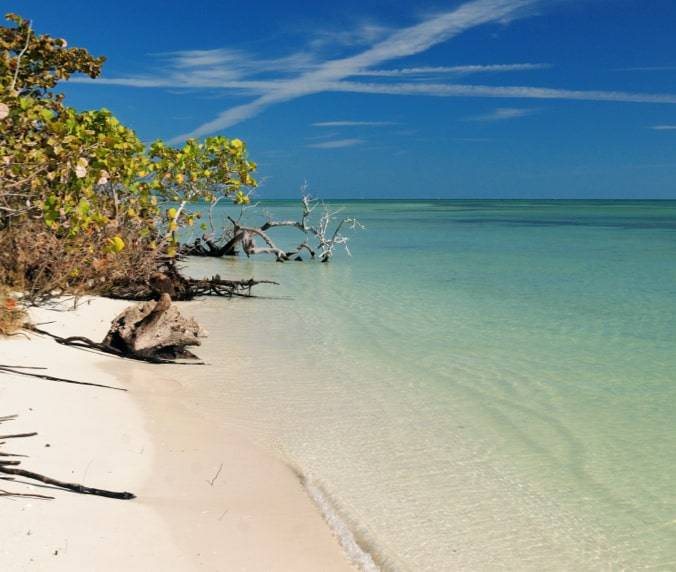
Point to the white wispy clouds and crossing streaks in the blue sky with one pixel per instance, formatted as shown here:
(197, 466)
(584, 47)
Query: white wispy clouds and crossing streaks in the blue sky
(272, 81)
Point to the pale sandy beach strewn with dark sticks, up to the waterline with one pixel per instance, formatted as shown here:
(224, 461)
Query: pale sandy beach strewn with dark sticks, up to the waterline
(208, 499)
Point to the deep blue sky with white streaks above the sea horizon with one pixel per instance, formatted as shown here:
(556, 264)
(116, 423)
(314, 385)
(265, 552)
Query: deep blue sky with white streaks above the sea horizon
(371, 99)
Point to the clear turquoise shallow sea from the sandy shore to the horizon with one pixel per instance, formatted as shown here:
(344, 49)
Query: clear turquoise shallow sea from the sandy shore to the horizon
(483, 385)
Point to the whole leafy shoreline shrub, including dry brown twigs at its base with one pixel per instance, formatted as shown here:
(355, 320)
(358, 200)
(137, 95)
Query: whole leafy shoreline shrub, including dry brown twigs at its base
(80, 194)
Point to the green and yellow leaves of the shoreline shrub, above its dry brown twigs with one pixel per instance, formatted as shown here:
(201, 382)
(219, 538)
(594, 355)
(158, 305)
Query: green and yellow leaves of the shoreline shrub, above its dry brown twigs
(84, 173)
